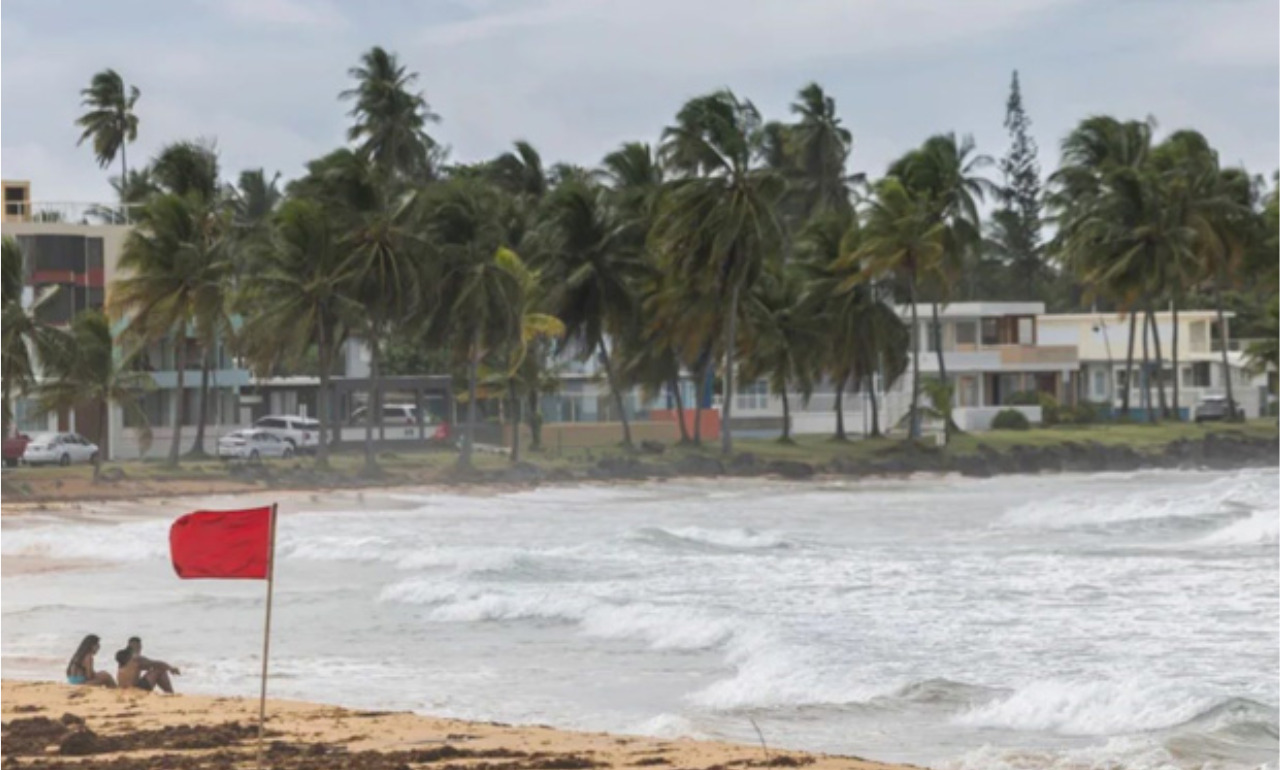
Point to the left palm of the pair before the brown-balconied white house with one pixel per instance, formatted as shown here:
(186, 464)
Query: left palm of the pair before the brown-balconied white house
(902, 239)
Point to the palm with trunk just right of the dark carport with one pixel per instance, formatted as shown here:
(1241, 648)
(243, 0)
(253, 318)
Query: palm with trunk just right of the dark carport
(479, 277)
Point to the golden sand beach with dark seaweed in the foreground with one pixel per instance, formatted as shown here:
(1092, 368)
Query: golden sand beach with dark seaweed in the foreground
(57, 726)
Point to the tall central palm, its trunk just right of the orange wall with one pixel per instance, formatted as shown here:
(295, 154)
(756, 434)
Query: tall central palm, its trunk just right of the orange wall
(717, 222)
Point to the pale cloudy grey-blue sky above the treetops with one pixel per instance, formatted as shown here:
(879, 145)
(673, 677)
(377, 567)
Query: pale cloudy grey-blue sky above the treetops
(580, 77)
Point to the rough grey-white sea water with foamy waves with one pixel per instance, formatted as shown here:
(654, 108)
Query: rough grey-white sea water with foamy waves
(1066, 622)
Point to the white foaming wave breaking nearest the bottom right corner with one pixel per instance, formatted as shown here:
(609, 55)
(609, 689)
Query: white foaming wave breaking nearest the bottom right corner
(1099, 708)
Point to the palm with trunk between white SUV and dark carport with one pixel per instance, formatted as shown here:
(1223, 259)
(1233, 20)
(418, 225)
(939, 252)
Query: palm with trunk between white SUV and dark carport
(299, 300)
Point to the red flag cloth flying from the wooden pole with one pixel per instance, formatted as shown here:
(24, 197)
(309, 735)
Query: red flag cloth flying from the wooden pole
(222, 544)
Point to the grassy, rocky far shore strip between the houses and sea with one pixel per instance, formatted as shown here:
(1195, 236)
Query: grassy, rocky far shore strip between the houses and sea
(972, 456)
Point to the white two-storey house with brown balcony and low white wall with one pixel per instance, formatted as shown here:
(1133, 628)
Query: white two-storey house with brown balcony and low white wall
(994, 355)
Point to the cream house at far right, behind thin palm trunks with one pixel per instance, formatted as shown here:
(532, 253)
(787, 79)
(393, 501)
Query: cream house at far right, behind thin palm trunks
(1103, 341)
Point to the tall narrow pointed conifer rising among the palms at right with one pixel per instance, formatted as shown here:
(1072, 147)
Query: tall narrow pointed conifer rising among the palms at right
(1020, 236)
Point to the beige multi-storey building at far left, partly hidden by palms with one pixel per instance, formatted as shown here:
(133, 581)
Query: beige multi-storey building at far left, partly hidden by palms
(71, 255)
